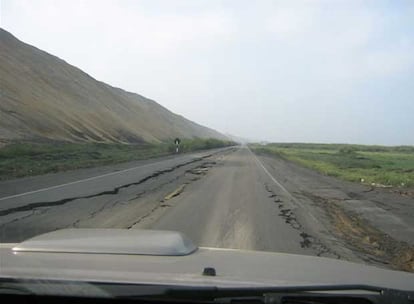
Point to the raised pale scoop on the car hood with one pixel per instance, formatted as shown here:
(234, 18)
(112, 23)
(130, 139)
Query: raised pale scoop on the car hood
(110, 241)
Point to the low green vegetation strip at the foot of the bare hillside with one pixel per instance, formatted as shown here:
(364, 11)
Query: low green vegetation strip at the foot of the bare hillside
(24, 159)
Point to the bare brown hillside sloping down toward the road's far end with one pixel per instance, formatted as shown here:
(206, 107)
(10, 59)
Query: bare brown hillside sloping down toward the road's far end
(45, 98)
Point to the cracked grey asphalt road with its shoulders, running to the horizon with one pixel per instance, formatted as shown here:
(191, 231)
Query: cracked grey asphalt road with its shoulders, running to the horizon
(228, 198)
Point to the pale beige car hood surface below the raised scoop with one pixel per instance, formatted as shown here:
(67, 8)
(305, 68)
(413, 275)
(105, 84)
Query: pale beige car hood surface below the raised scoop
(234, 268)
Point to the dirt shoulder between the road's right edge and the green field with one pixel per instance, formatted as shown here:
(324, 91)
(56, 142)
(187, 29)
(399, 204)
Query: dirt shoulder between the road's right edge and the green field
(375, 223)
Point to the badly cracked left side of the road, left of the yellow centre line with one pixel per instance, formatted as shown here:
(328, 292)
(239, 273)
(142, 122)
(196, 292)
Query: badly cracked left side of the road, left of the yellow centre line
(103, 197)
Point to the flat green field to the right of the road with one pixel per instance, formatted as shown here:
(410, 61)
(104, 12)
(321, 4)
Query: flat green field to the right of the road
(389, 166)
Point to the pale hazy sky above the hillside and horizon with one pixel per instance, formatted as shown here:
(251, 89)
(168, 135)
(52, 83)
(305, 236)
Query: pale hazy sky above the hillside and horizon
(296, 71)
